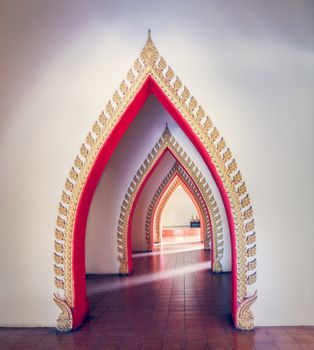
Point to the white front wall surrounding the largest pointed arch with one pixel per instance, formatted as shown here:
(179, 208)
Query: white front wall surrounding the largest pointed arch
(248, 62)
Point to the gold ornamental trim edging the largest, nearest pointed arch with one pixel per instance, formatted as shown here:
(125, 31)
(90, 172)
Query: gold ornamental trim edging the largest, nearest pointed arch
(152, 65)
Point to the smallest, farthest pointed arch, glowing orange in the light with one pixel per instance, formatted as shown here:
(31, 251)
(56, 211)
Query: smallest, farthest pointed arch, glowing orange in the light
(157, 217)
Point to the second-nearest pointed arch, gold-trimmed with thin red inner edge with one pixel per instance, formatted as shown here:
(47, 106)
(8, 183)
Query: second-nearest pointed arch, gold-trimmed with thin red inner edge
(167, 141)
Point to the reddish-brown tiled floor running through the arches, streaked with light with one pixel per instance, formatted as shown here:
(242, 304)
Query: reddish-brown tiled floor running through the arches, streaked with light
(171, 301)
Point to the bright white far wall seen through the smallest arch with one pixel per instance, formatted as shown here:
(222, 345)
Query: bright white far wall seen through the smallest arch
(178, 210)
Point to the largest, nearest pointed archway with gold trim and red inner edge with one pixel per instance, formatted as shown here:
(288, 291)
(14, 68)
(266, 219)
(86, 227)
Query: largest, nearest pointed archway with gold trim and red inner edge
(149, 74)
